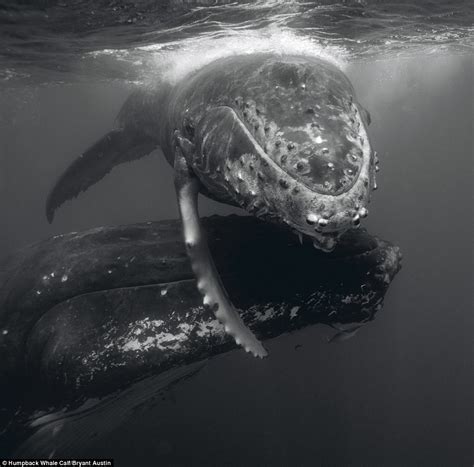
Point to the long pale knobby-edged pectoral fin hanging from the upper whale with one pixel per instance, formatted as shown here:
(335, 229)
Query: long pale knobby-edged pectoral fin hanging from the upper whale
(208, 279)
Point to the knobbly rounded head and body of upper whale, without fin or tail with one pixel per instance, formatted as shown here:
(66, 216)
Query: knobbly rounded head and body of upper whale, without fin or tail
(280, 136)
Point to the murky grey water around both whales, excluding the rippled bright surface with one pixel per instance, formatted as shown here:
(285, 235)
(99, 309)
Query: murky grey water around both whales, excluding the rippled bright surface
(397, 394)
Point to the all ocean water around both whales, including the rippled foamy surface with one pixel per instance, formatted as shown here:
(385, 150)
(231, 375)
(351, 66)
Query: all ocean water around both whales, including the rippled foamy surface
(399, 393)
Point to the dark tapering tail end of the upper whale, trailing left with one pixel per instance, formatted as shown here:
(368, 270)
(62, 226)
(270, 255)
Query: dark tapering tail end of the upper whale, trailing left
(135, 136)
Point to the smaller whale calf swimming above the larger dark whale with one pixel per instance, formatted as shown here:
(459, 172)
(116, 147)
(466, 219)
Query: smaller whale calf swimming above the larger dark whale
(281, 136)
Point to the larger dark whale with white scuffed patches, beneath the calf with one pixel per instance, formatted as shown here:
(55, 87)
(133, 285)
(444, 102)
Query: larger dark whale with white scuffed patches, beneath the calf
(99, 322)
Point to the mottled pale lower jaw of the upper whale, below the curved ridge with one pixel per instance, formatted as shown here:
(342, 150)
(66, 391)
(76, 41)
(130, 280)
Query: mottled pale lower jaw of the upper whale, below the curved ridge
(253, 180)
